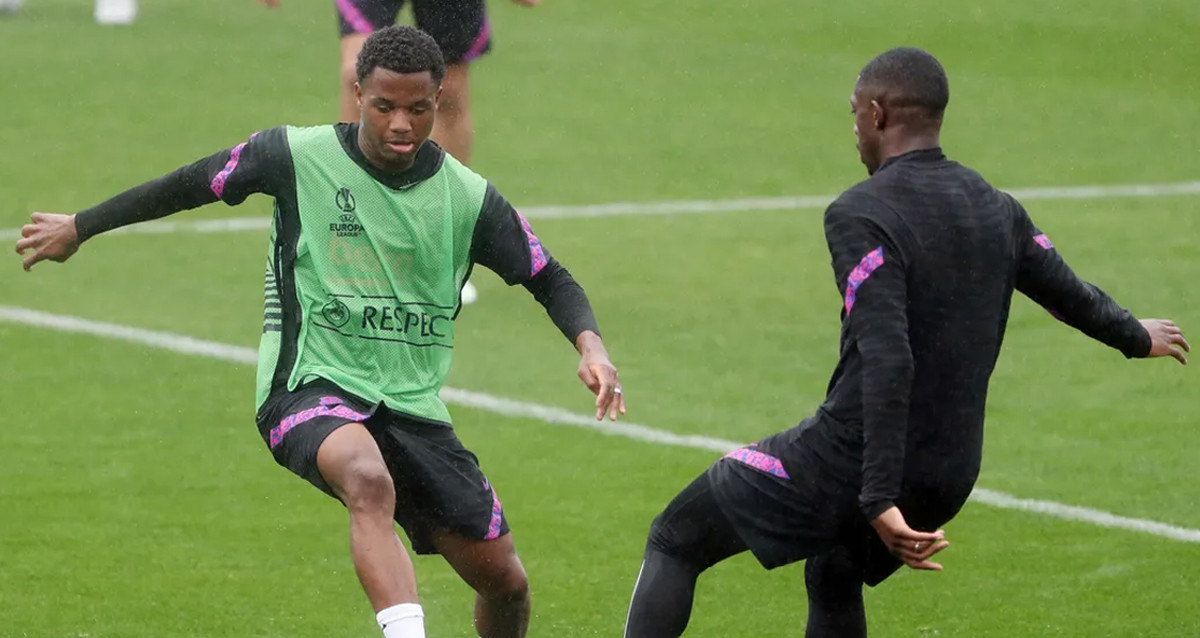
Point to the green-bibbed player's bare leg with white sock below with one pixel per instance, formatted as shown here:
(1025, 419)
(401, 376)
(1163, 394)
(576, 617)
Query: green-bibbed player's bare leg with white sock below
(351, 462)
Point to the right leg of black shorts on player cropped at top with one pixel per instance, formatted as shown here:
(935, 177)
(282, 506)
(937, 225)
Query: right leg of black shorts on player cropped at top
(459, 27)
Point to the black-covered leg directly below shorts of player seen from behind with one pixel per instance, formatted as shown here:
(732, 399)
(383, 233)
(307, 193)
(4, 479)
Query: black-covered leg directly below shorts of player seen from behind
(836, 597)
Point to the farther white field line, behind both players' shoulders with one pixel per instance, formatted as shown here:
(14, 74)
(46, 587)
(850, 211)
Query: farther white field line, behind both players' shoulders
(701, 207)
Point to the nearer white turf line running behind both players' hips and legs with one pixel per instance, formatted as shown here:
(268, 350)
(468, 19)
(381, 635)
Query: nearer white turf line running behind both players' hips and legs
(190, 346)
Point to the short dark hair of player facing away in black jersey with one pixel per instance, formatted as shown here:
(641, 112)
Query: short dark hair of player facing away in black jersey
(909, 77)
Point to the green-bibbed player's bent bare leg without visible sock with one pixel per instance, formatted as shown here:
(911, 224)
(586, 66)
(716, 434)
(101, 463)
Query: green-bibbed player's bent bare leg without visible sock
(494, 570)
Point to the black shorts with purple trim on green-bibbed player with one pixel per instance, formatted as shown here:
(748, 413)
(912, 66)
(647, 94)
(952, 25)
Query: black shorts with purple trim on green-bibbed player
(440, 485)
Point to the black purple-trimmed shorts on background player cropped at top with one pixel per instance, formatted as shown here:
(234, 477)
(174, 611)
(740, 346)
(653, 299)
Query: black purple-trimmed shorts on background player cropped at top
(459, 27)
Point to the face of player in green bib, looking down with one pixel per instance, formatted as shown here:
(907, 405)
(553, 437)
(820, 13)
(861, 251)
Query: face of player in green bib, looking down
(397, 117)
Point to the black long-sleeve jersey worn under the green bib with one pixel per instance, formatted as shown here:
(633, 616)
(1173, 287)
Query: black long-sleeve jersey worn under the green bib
(502, 243)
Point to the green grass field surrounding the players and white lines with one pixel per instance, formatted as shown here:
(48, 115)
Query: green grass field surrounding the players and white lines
(137, 499)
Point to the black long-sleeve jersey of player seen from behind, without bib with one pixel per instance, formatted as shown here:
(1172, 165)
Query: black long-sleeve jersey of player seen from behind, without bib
(927, 256)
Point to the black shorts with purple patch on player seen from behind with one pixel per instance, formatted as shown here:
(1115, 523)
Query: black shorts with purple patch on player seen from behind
(787, 505)
